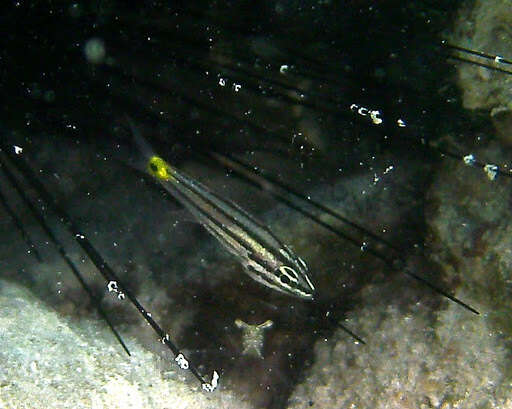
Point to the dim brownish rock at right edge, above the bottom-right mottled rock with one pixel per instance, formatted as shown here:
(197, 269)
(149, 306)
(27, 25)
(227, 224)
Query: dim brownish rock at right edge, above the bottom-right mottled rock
(472, 235)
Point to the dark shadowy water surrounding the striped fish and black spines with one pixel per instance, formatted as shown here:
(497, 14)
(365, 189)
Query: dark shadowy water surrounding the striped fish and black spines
(271, 83)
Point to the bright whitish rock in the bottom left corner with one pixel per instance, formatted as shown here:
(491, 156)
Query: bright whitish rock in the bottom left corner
(53, 362)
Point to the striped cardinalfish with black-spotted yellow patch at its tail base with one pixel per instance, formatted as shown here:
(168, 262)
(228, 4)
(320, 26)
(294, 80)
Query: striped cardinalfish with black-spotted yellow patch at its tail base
(264, 257)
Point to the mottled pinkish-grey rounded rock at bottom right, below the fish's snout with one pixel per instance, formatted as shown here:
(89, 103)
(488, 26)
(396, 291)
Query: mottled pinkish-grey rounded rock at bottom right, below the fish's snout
(414, 358)
